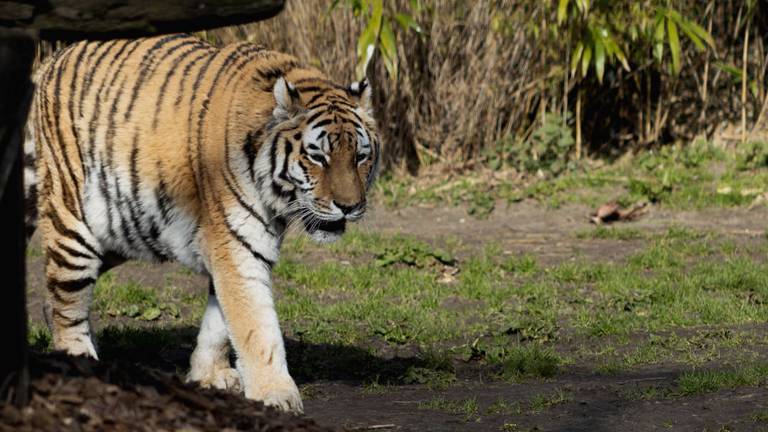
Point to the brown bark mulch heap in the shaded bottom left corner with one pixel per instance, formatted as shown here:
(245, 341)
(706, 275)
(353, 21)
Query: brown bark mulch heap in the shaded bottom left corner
(77, 394)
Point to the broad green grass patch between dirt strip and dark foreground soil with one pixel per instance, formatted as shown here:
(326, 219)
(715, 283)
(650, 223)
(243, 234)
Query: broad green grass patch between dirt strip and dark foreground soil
(517, 311)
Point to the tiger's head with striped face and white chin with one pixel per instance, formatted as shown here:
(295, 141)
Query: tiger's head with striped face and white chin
(324, 154)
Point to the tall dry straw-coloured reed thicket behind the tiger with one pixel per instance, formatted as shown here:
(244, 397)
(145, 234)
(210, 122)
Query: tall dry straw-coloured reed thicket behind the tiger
(477, 76)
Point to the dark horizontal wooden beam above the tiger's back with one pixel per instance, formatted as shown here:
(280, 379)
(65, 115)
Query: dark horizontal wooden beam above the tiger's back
(109, 19)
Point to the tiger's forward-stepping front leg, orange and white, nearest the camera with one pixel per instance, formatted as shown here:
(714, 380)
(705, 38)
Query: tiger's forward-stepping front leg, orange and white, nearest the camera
(242, 279)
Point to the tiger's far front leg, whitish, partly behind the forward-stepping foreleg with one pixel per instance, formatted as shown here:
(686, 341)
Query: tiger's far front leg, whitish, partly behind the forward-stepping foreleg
(209, 364)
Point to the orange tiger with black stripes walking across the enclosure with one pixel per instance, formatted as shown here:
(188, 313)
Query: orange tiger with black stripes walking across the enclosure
(171, 149)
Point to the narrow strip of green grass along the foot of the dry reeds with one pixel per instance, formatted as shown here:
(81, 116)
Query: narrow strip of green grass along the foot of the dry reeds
(681, 176)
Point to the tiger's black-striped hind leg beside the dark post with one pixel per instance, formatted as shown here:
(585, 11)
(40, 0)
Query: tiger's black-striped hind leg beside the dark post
(72, 265)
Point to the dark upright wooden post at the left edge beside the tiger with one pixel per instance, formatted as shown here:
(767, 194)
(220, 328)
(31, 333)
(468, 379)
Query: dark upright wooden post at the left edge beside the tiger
(16, 56)
